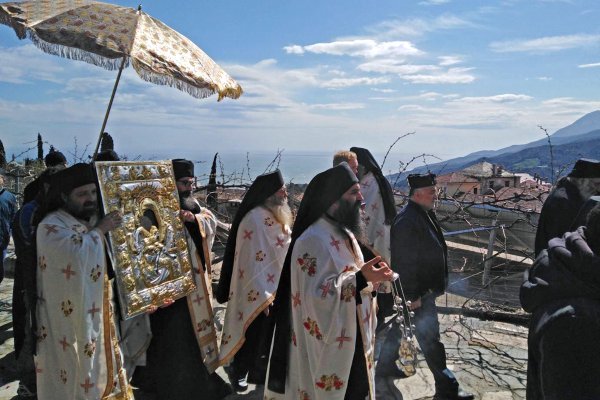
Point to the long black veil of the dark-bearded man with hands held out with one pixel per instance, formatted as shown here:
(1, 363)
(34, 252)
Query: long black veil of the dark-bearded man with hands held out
(323, 190)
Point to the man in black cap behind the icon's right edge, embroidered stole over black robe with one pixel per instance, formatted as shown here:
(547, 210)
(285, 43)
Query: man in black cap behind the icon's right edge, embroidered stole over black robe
(182, 355)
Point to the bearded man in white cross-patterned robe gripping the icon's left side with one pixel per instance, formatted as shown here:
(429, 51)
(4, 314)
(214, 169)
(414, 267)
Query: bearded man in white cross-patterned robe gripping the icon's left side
(76, 354)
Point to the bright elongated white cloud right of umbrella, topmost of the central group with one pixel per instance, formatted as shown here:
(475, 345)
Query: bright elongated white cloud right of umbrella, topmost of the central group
(366, 48)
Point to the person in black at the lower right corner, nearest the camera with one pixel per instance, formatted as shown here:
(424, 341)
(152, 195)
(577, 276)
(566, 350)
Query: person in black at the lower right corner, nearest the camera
(562, 292)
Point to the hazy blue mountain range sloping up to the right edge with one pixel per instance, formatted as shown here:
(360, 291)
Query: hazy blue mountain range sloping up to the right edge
(581, 139)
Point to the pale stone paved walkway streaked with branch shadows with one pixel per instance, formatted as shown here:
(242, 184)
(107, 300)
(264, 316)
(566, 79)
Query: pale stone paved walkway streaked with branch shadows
(489, 358)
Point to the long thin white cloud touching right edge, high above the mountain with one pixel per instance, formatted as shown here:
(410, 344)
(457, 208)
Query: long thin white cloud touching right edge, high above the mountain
(546, 44)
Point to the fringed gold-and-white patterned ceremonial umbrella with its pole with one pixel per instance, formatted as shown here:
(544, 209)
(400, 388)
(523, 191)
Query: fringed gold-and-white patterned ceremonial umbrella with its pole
(111, 37)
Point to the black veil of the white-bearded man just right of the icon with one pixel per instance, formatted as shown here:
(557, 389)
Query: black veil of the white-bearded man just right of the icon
(263, 187)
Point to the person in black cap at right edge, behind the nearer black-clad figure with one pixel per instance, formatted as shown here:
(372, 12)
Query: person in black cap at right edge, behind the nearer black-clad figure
(562, 207)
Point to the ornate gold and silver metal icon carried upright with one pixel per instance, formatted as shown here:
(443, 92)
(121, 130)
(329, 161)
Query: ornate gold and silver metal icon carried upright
(149, 251)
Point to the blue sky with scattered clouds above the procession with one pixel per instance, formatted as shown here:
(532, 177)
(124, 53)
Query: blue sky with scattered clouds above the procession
(320, 76)
